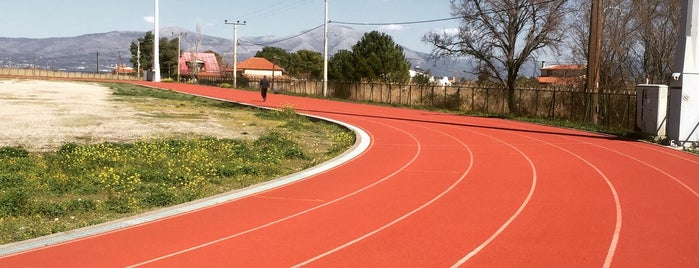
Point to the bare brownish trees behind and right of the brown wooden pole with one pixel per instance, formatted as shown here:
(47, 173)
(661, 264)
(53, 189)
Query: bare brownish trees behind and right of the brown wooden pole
(639, 41)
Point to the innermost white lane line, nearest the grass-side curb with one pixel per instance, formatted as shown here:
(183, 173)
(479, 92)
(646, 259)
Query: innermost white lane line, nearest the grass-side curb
(415, 156)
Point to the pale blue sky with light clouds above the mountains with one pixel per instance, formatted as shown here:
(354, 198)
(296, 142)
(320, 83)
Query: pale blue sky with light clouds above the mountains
(43, 19)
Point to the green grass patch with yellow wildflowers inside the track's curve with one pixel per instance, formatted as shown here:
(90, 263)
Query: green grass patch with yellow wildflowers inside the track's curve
(79, 185)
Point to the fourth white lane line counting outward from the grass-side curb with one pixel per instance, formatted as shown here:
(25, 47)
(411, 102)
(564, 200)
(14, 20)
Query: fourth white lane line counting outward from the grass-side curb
(617, 203)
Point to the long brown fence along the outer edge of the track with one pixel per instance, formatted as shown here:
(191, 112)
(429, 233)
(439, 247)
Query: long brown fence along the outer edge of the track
(616, 110)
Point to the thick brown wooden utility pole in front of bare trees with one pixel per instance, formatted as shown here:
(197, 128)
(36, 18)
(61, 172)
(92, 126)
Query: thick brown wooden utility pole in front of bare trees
(594, 55)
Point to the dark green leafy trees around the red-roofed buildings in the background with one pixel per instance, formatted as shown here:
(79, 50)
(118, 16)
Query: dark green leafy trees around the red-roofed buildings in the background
(376, 57)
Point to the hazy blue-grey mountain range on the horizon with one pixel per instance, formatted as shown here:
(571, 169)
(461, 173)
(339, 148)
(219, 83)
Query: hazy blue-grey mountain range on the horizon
(86, 52)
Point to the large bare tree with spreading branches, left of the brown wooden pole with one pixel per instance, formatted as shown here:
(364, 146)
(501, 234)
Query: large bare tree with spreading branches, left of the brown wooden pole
(502, 35)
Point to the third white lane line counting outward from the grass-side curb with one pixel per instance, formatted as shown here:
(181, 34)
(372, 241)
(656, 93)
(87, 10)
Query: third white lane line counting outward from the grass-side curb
(514, 216)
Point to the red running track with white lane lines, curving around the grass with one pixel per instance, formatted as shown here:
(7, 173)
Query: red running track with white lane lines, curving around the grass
(431, 190)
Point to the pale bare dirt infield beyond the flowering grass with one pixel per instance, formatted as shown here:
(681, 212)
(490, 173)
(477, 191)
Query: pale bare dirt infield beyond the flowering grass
(42, 115)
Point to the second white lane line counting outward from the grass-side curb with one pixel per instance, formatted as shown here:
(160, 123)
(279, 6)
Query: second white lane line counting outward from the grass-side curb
(404, 216)
